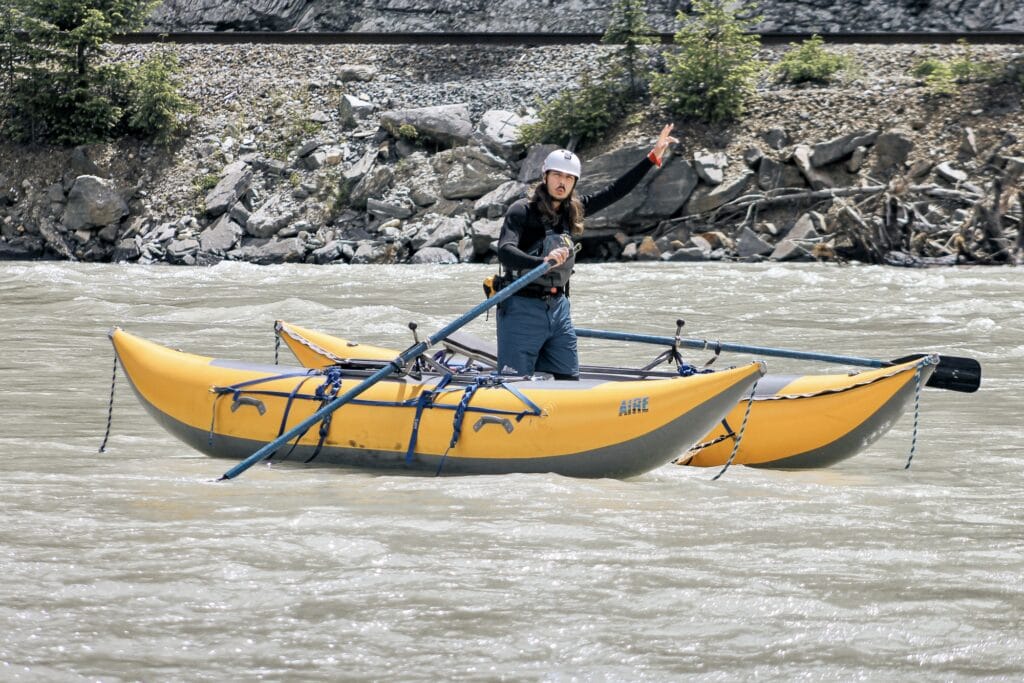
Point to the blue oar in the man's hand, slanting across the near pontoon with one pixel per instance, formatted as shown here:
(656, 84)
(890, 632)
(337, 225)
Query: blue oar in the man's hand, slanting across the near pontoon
(403, 359)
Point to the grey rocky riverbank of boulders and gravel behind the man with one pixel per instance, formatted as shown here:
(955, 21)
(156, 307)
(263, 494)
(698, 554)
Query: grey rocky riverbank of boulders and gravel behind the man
(398, 154)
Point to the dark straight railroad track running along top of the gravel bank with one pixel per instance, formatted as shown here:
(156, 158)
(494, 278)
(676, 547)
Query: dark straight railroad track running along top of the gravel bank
(538, 39)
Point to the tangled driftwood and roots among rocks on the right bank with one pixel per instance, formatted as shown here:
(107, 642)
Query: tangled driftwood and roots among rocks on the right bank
(904, 214)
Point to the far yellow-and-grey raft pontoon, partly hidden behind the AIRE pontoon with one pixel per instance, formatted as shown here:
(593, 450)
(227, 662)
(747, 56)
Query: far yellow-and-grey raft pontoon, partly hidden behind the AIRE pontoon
(806, 421)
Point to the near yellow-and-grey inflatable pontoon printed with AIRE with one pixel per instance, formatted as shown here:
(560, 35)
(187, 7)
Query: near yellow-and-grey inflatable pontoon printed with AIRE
(432, 423)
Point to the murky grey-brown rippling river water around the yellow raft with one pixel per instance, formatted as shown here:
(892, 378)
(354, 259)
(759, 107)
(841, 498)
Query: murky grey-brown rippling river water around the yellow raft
(133, 565)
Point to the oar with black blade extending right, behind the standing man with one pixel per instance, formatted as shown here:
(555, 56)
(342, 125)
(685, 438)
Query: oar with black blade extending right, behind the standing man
(954, 373)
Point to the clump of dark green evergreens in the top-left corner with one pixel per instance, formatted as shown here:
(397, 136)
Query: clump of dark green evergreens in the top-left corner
(61, 88)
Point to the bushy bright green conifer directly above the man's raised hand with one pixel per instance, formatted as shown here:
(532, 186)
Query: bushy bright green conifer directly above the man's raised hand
(712, 74)
